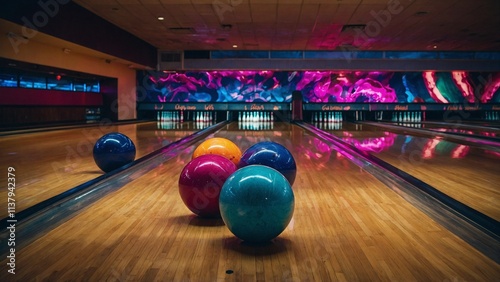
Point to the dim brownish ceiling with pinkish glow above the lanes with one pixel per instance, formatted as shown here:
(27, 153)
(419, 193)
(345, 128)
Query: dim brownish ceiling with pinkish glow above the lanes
(461, 25)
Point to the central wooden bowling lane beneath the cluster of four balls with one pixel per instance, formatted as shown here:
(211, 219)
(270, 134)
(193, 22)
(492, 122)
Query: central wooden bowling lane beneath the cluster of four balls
(346, 226)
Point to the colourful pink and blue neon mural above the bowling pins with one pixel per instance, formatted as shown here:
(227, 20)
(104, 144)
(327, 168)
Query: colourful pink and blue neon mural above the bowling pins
(323, 86)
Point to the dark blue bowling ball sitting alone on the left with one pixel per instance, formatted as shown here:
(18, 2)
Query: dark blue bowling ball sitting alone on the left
(113, 150)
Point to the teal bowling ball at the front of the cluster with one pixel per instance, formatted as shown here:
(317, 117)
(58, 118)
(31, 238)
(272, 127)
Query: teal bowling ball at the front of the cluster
(256, 203)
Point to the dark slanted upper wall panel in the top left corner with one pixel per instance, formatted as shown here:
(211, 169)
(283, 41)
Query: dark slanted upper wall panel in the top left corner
(69, 21)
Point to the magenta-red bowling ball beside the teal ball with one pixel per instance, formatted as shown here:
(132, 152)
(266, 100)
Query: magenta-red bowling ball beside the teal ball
(200, 183)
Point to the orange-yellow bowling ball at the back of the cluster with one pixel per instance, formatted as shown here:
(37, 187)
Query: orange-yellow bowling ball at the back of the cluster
(219, 146)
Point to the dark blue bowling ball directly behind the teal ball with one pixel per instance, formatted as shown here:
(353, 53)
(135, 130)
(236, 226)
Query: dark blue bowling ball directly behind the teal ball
(273, 155)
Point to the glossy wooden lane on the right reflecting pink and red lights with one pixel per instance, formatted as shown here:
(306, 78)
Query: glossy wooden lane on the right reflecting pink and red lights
(466, 173)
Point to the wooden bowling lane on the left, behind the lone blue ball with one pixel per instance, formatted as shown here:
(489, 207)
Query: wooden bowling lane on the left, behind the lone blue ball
(51, 162)
